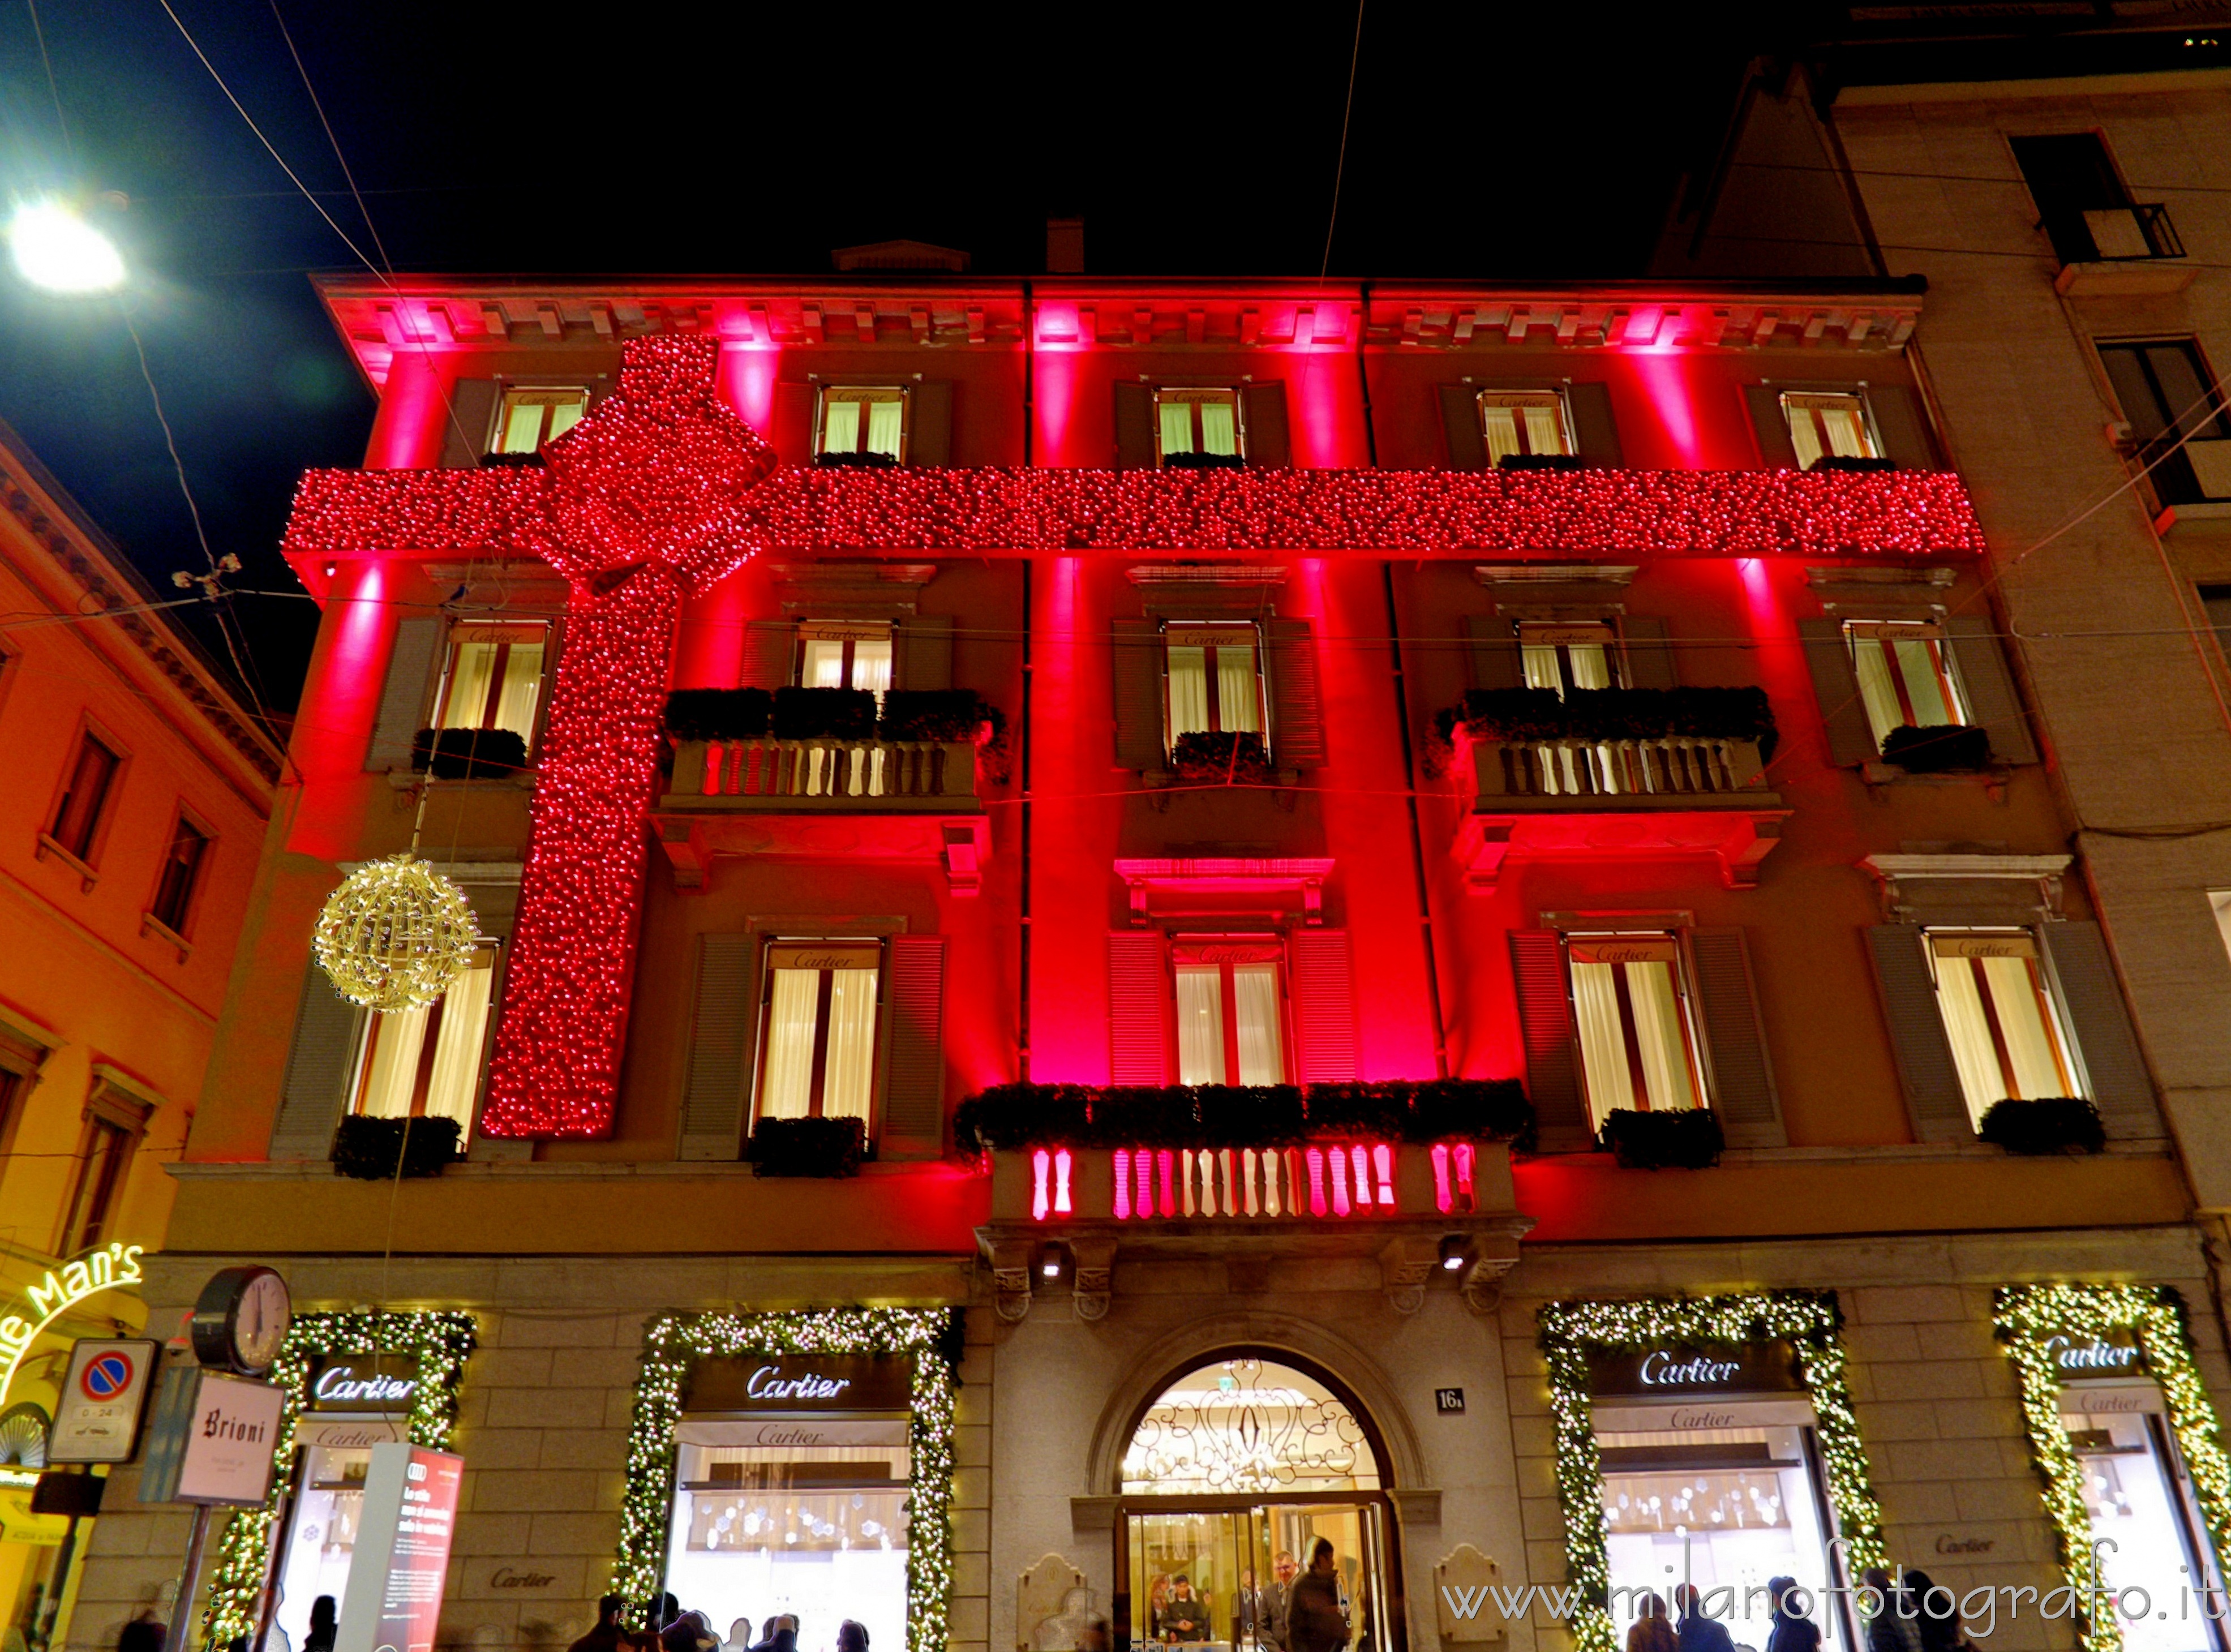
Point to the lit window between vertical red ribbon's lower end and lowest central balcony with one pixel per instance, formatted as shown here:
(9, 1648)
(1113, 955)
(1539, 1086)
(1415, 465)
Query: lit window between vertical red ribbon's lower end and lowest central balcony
(818, 1028)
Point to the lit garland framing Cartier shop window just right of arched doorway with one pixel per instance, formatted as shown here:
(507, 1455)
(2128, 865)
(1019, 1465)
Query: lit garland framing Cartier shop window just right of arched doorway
(1810, 1320)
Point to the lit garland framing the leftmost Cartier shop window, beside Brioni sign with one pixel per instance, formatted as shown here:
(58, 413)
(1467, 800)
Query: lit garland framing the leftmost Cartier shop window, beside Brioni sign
(441, 1345)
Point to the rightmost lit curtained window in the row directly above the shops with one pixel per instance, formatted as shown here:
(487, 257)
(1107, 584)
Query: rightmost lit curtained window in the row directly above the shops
(2000, 1017)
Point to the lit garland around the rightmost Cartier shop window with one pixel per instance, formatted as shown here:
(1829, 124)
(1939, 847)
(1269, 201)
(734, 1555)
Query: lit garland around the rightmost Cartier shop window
(2027, 1318)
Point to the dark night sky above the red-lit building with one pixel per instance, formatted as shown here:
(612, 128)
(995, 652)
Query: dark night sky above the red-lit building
(1201, 140)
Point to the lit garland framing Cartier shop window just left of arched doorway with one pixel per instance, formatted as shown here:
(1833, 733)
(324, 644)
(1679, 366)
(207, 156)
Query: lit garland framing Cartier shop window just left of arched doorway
(675, 1343)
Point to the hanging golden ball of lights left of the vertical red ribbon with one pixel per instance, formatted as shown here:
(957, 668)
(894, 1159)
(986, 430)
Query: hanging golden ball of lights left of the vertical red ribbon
(396, 934)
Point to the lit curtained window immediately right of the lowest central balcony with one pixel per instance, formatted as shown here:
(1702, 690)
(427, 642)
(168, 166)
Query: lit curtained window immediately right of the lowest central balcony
(1636, 1030)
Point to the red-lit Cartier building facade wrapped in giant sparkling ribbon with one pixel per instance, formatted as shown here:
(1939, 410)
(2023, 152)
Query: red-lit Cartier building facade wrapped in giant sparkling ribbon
(1230, 794)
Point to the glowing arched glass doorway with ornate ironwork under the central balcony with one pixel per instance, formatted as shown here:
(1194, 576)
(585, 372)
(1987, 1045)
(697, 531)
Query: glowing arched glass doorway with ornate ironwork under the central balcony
(1233, 1472)
